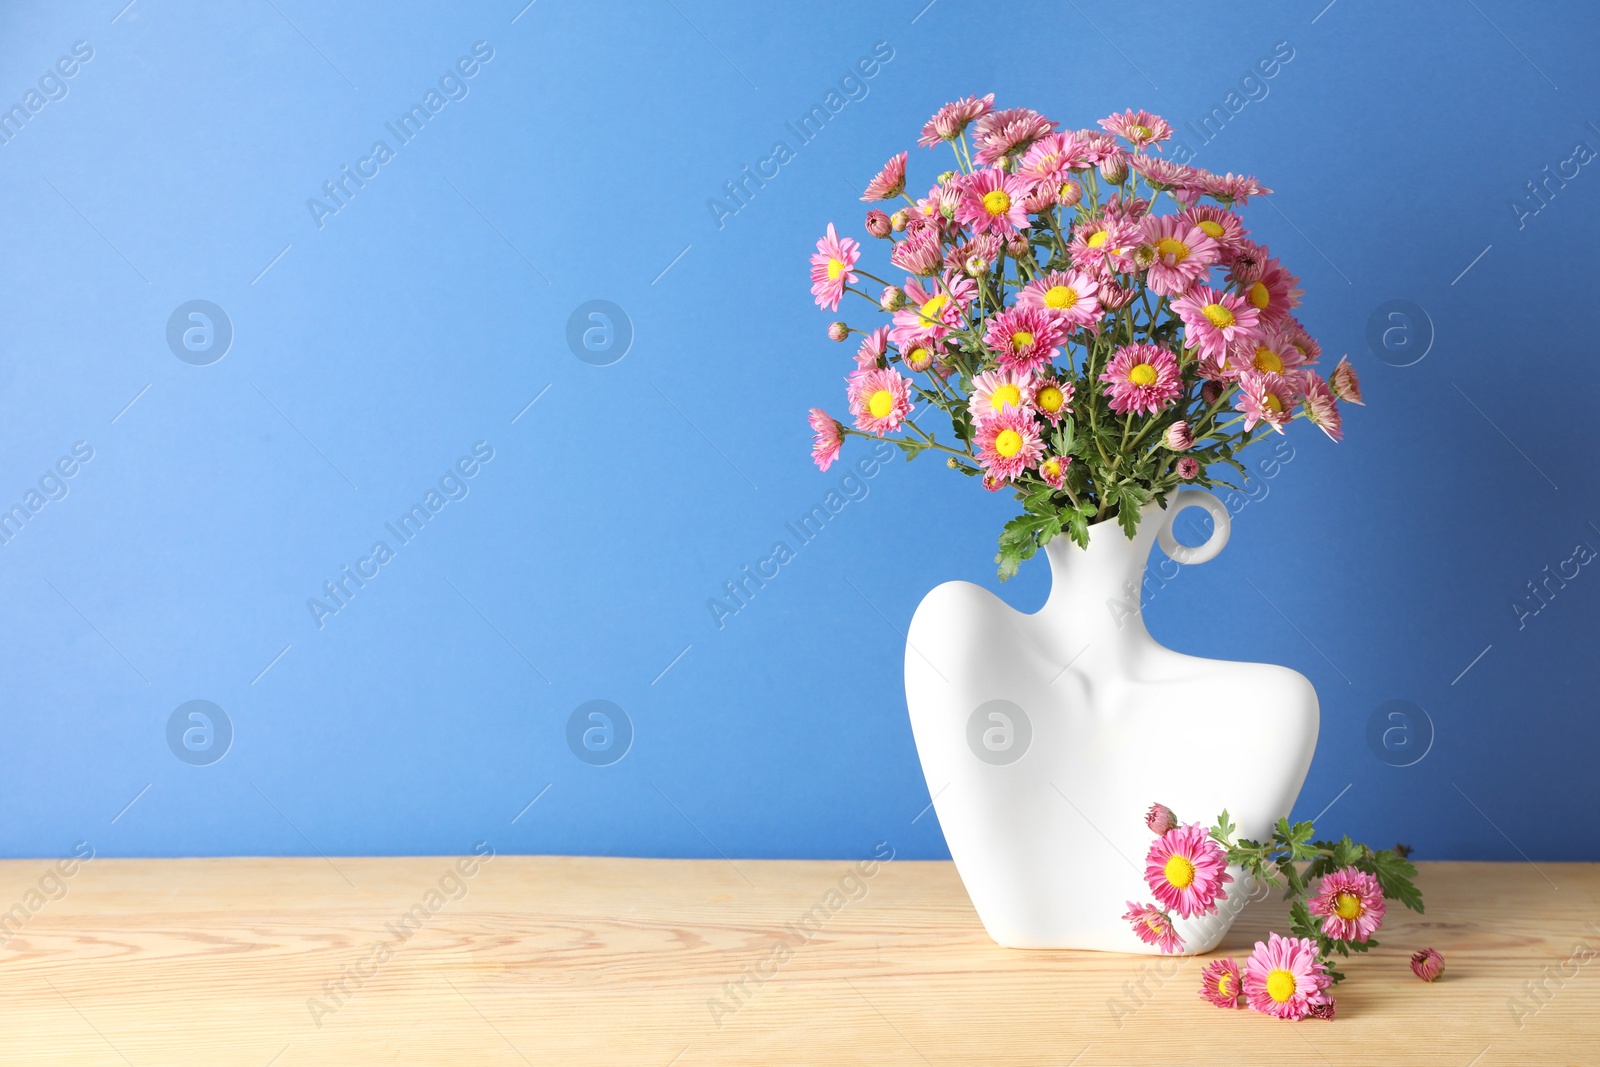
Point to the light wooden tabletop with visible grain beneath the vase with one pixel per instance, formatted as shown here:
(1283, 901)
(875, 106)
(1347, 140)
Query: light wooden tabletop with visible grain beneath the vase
(564, 961)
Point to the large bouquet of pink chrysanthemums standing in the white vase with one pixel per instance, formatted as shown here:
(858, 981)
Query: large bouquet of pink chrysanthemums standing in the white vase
(1094, 321)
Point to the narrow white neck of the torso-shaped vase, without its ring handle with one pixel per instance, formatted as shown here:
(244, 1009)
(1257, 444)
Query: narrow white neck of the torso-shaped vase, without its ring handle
(1095, 591)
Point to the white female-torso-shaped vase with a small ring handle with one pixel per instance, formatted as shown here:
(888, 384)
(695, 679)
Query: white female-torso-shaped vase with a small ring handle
(1047, 737)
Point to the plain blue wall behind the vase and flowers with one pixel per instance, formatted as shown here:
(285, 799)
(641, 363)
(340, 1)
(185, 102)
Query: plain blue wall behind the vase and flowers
(372, 353)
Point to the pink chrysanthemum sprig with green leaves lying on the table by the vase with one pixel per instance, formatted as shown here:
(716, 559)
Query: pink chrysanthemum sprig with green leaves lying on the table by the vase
(1337, 893)
